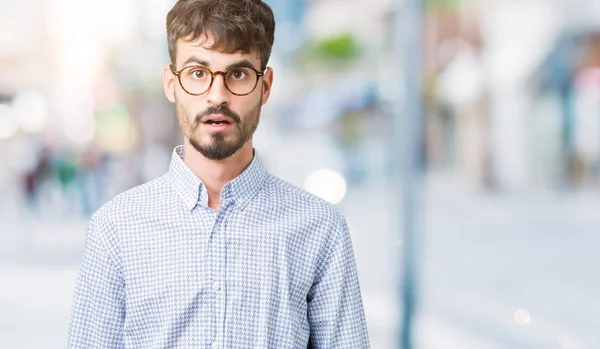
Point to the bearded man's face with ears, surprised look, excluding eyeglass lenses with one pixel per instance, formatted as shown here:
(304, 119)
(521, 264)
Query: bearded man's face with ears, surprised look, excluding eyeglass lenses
(217, 123)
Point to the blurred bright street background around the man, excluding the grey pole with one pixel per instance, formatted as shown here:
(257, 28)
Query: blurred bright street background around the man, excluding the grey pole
(508, 194)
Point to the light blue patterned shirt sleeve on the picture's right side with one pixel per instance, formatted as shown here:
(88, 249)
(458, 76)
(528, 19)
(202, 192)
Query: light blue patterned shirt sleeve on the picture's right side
(335, 310)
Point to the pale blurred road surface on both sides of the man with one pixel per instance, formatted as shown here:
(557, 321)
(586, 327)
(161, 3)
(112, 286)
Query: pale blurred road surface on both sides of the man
(485, 257)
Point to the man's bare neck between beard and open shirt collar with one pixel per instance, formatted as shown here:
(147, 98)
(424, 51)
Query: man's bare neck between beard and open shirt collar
(216, 173)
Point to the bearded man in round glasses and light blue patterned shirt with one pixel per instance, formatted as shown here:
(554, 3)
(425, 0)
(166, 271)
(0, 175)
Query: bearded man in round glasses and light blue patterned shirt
(217, 253)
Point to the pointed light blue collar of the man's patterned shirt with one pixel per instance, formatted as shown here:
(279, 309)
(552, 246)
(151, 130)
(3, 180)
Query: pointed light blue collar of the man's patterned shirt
(192, 190)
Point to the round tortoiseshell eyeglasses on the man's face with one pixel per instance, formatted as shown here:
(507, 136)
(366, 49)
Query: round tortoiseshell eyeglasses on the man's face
(197, 79)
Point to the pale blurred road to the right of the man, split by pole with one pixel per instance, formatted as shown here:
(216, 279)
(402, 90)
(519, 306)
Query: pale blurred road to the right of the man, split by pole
(498, 270)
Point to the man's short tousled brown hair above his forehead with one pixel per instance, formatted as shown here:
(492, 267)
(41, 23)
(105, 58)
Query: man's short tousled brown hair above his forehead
(233, 25)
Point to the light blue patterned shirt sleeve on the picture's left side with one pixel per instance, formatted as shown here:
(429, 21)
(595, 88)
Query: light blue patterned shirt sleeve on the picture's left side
(99, 303)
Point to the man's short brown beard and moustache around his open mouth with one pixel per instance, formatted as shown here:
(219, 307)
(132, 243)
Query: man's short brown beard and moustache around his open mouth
(220, 145)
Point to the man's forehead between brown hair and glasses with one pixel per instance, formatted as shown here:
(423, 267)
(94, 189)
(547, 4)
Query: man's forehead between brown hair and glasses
(198, 50)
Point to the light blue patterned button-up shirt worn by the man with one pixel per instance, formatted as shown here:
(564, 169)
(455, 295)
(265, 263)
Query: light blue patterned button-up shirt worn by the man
(273, 268)
